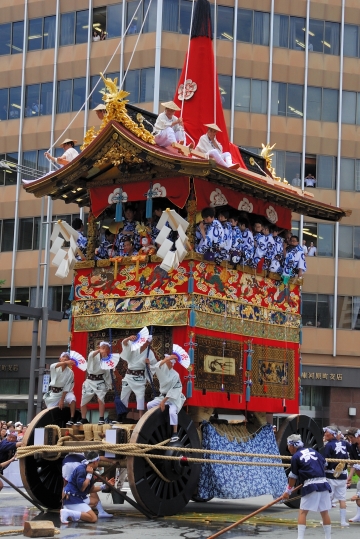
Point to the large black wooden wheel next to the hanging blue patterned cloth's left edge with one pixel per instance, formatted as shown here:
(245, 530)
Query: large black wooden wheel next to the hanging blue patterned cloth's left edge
(160, 497)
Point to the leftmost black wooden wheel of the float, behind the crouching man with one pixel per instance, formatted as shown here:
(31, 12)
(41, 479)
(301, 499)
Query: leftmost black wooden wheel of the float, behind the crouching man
(42, 478)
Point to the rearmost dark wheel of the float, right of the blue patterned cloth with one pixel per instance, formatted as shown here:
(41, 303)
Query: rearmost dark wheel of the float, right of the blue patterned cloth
(311, 435)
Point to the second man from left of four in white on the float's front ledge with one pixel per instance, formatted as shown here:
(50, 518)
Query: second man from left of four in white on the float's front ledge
(98, 382)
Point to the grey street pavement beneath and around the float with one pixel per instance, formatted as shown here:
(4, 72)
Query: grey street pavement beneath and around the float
(197, 521)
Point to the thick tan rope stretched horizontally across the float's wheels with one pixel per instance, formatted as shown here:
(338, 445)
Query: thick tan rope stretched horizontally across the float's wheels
(141, 450)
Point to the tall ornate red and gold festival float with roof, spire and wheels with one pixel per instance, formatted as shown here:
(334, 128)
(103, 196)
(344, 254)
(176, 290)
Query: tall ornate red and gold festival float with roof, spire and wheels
(241, 327)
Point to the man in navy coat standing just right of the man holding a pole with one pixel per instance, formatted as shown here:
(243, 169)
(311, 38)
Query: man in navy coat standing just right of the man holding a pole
(336, 473)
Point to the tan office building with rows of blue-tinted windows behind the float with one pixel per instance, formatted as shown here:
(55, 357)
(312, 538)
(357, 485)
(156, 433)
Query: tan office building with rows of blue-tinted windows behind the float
(288, 73)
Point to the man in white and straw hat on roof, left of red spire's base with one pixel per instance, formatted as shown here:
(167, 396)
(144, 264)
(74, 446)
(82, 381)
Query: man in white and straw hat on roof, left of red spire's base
(168, 128)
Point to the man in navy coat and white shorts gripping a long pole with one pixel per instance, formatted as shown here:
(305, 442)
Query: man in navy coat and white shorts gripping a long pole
(308, 466)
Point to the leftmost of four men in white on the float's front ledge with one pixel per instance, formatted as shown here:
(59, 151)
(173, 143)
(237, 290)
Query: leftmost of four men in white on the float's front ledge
(62, 385)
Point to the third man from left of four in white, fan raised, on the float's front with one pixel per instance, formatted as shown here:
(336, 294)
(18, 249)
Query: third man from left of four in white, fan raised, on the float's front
(136, 375)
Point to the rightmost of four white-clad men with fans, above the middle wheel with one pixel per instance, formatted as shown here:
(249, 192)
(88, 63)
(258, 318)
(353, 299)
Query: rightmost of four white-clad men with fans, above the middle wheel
(171, 394)
